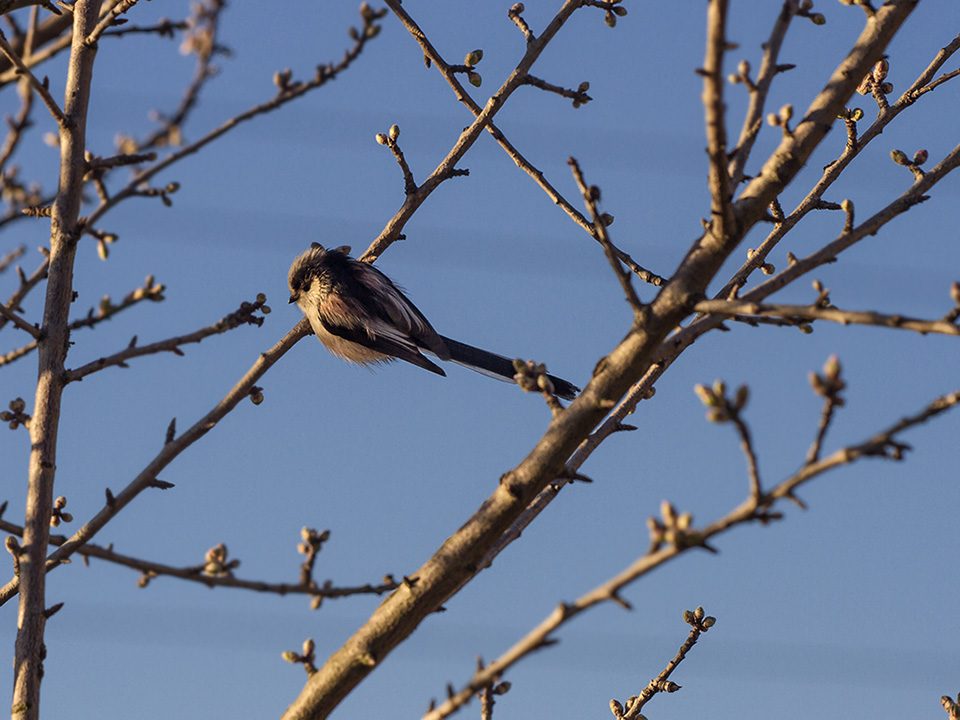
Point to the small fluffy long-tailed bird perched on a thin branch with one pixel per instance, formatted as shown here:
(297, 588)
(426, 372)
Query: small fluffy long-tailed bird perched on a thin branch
(361, 316)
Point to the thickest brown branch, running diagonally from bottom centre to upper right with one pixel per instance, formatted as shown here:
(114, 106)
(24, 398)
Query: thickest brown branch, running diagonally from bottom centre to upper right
(457, 560)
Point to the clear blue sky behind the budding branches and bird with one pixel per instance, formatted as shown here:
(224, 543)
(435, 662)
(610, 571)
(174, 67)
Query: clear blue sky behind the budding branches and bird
(843, 610)
